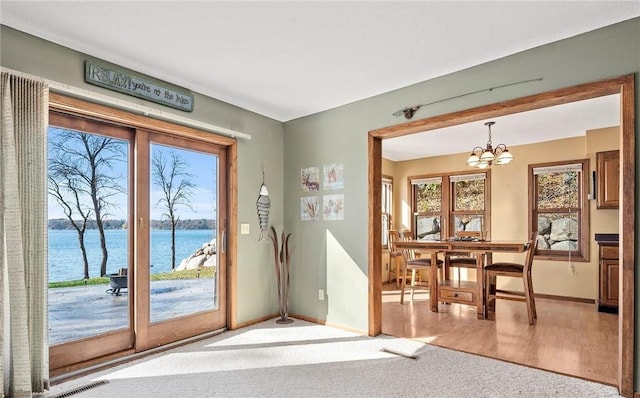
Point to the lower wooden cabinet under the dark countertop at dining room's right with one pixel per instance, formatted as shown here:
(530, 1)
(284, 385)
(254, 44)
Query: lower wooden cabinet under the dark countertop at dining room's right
(609, 272)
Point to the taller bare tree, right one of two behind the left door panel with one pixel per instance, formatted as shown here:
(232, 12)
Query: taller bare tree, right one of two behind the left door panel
(87, 161)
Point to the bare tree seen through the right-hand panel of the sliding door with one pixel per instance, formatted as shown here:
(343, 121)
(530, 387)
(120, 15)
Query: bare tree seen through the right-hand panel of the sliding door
(170, 175)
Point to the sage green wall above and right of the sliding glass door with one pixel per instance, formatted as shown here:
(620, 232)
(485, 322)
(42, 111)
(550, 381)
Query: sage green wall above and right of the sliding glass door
(256, 294)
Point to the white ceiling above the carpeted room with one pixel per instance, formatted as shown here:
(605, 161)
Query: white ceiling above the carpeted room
(286, 60)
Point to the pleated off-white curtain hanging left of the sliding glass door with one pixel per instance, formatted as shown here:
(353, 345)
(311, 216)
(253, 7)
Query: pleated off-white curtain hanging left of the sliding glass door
(24, 353)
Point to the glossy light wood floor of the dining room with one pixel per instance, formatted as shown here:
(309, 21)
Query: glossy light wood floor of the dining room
(569, 337)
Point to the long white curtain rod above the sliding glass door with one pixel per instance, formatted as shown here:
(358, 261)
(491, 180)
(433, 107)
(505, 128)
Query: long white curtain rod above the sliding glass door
(66, 89)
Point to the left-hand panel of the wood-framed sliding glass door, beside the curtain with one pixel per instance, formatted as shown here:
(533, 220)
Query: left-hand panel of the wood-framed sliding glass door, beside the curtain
(89, 184)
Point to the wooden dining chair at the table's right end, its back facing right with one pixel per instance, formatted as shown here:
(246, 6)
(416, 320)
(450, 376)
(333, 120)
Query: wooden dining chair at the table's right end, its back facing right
(513, 270)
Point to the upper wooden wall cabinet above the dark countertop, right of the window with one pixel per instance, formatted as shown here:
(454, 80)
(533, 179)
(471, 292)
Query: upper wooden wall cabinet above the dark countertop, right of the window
(608, 176)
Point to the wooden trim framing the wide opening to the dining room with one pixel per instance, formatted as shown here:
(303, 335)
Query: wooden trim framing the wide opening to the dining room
(621, 85)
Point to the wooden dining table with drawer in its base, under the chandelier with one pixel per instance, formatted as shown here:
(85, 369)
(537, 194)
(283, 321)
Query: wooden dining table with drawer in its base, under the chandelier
(462, 292)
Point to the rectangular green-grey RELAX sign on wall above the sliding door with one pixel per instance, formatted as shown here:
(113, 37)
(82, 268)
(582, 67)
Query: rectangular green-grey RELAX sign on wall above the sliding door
(115, 78)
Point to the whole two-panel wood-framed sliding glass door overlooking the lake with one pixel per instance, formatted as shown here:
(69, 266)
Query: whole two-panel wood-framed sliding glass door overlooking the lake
(136, 226)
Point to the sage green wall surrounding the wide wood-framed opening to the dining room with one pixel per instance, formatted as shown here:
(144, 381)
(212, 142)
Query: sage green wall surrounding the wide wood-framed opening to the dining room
(340, 135)
